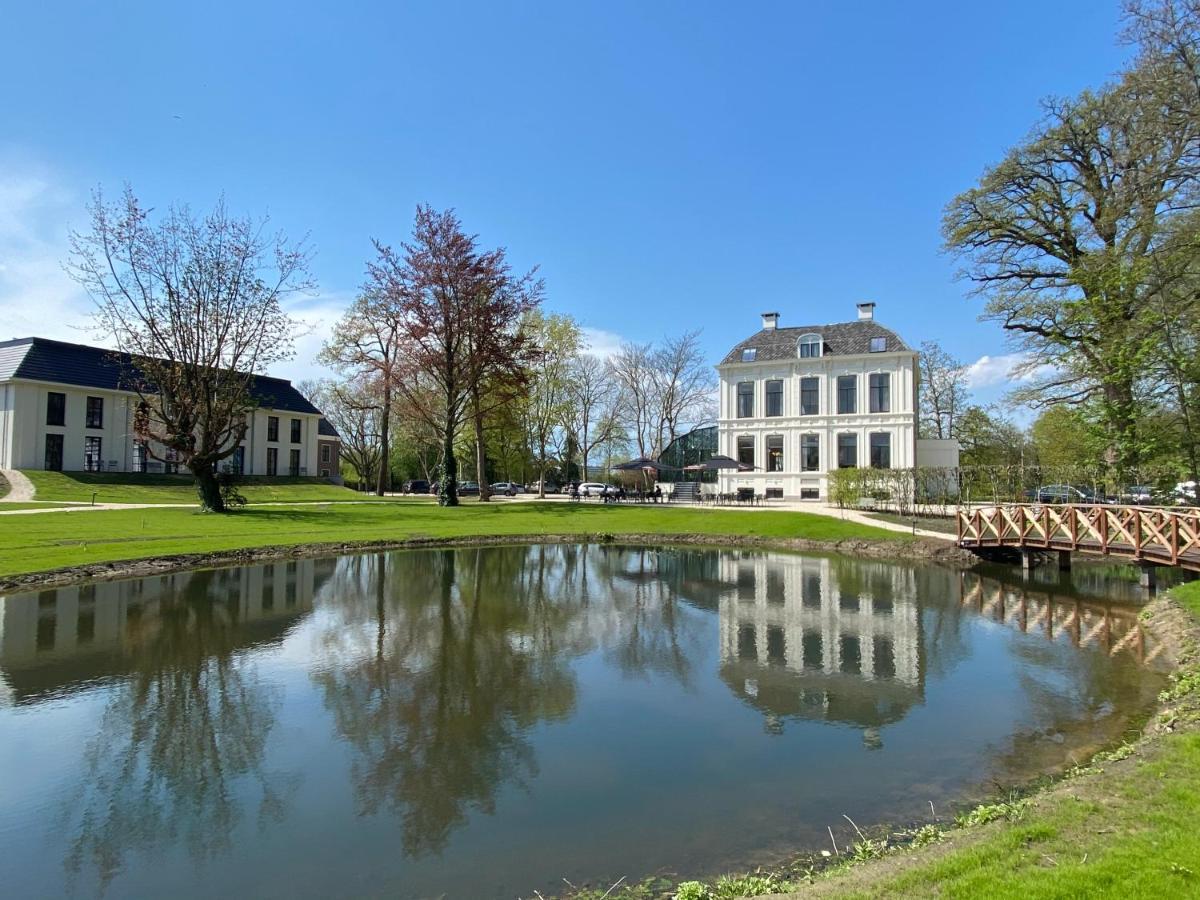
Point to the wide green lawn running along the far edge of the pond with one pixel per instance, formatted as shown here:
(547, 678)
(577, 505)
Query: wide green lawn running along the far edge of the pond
(32, 544)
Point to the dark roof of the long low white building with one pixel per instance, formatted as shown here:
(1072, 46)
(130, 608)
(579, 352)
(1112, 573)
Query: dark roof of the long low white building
(44, 361)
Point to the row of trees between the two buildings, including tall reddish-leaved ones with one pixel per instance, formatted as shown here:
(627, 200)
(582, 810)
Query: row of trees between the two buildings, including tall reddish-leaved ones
(449, 355)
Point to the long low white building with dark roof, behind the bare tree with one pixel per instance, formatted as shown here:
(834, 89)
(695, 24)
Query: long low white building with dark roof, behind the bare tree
(63, 407)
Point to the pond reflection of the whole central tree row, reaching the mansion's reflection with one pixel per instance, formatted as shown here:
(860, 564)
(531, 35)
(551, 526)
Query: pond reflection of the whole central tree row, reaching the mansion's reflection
(436, 665)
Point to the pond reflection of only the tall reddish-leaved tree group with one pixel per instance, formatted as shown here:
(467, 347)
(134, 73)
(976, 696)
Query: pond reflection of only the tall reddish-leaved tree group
(452, 659)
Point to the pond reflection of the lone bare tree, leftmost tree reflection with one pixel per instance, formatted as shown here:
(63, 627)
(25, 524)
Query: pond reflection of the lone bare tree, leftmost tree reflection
(179, 753)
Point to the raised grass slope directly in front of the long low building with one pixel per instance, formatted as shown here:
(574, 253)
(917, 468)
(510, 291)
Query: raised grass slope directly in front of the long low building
(122, 488)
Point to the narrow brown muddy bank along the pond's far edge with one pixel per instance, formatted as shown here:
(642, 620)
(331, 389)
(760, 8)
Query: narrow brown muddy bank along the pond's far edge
(925, 550)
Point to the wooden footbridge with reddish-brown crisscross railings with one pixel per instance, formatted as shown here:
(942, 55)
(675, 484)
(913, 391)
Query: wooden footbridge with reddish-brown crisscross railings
(1151, 536)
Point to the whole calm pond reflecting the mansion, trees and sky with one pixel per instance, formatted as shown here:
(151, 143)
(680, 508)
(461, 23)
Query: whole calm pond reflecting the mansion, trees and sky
(489, 722)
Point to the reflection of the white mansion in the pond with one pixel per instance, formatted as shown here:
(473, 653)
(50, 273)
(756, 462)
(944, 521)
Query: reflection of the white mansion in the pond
(801, 635)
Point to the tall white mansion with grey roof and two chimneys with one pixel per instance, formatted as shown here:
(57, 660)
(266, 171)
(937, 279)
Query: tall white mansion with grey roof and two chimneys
(799, 403)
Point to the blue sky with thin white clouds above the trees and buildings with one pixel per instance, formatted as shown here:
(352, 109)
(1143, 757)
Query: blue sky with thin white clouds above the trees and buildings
(669, 165)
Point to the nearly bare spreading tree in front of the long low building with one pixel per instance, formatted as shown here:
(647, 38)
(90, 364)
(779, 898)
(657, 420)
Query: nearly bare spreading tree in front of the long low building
(195, 307)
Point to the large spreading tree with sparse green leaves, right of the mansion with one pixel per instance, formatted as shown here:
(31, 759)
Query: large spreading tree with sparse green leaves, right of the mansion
(1063, 238)
